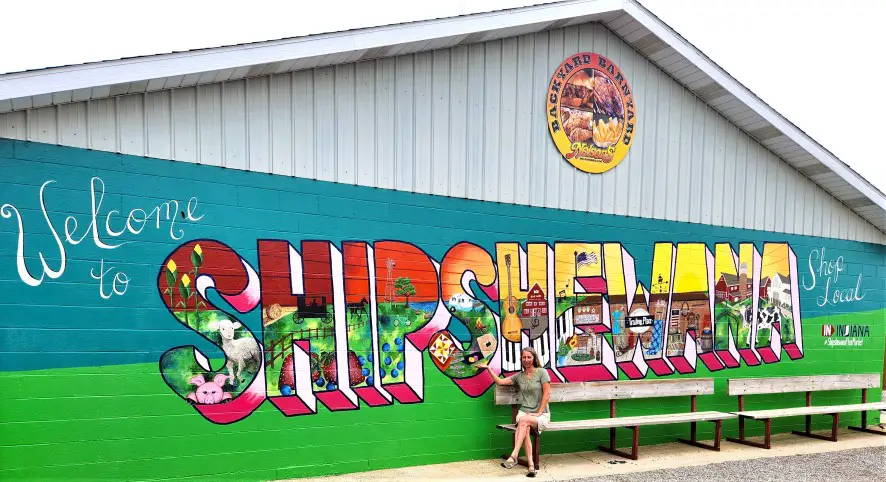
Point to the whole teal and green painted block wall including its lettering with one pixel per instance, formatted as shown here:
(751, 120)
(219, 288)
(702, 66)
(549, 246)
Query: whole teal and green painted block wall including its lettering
(171, 320)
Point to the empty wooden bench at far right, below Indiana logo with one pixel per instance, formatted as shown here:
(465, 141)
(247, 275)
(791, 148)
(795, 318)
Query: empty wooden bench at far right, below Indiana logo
(808, 384)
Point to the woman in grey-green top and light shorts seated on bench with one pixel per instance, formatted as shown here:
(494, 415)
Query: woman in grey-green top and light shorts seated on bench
(534, 386)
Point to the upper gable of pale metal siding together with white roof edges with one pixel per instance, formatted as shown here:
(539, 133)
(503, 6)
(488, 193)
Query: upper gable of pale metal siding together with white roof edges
(426, 101)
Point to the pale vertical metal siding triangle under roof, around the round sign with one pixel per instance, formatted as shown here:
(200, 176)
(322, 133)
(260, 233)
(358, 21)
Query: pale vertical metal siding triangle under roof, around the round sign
(466, 122)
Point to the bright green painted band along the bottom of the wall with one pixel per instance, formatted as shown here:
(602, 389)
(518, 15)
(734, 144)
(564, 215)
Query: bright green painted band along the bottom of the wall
(123, 422)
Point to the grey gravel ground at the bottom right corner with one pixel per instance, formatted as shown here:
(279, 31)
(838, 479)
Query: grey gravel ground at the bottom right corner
(866, 464)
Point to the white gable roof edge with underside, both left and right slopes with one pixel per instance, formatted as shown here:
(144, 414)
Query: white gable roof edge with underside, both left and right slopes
(628, 19)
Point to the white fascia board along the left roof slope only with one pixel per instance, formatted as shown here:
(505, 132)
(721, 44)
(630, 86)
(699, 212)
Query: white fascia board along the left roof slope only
(59, 79)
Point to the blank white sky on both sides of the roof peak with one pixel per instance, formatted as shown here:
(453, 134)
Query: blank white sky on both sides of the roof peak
(800, 57)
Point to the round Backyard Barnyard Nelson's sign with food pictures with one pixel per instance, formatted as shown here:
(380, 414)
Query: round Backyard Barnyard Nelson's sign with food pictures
(591, 113)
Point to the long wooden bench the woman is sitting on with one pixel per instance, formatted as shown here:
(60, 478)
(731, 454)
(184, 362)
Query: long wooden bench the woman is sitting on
(612, 391)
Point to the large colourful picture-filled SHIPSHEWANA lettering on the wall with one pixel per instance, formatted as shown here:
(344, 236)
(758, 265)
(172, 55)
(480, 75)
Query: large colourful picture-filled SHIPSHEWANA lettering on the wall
(341, 324)
